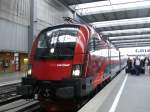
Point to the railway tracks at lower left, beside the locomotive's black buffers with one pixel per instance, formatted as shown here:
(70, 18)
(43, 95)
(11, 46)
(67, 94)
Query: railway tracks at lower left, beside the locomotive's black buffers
(10, 101)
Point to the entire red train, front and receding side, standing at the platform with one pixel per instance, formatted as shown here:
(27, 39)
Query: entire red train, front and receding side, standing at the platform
(68, 61)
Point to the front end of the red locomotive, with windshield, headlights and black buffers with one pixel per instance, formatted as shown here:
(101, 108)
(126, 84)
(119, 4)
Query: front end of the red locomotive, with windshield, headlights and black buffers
(56, 68)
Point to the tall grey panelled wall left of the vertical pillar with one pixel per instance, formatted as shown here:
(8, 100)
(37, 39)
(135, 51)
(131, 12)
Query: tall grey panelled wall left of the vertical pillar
(14, 22)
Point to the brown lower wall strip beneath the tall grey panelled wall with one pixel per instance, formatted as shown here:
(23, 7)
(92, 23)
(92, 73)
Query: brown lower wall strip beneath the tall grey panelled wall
(10, 63)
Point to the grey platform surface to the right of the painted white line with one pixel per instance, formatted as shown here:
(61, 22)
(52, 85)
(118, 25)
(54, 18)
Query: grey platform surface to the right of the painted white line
(136, 95)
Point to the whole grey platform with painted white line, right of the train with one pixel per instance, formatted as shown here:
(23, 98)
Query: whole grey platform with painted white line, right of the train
(125, 93)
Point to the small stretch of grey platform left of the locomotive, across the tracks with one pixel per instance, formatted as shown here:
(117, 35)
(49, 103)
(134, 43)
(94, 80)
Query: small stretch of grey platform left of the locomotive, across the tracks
(11, 77)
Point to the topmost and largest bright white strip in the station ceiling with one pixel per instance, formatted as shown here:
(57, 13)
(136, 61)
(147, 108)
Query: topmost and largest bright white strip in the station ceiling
(105, 6)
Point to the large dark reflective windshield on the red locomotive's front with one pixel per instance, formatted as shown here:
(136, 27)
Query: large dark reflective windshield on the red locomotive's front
(57, 43)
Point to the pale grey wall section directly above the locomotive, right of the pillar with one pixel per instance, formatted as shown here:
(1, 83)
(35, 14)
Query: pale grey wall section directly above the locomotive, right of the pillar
(50, 13)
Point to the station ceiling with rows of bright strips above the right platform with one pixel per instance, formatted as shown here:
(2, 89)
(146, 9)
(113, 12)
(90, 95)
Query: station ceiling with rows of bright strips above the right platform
(125, 23)
